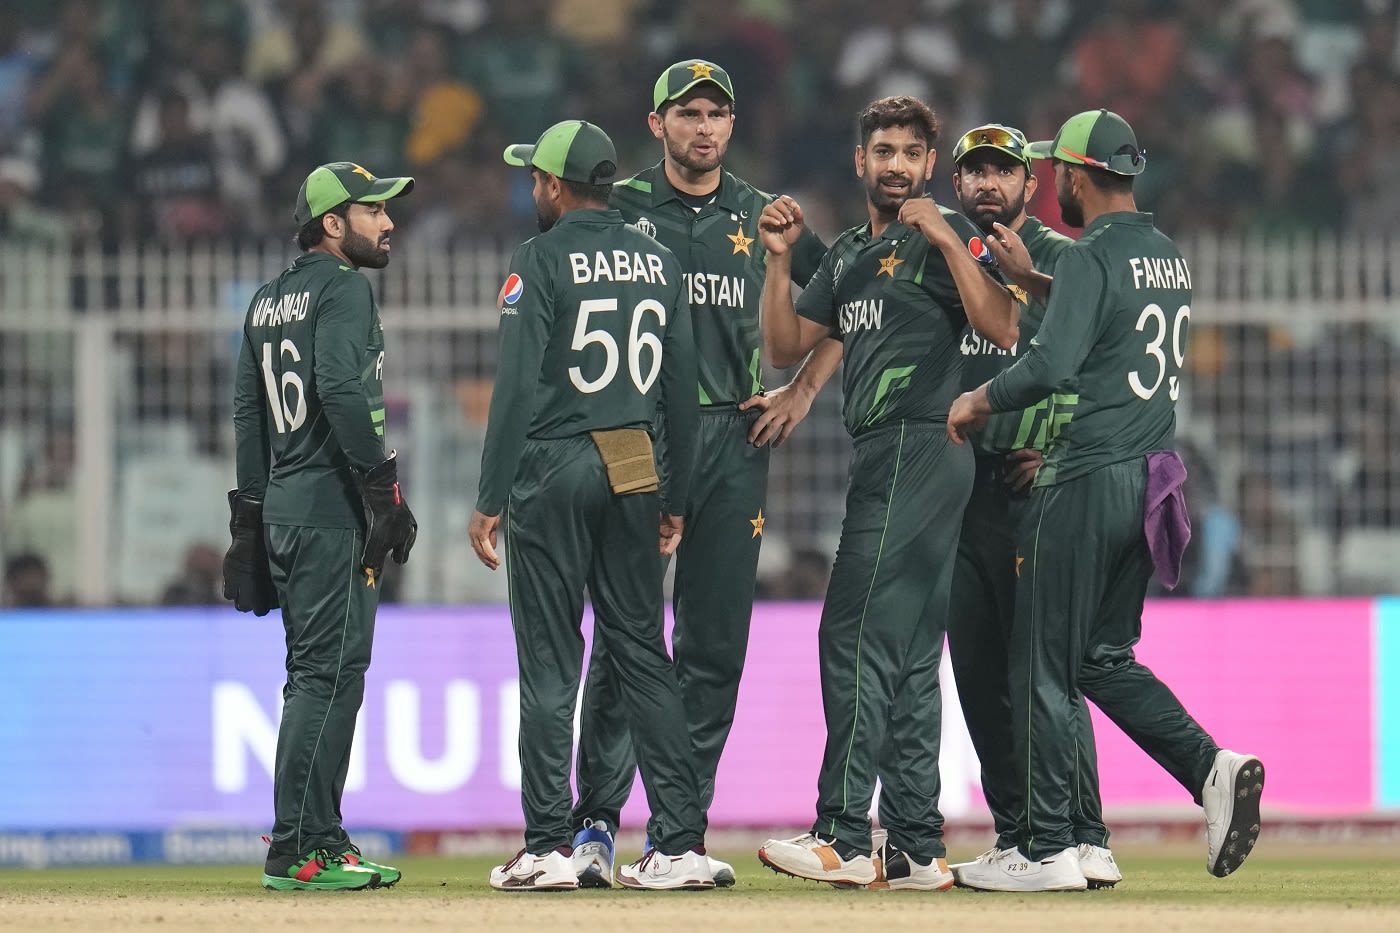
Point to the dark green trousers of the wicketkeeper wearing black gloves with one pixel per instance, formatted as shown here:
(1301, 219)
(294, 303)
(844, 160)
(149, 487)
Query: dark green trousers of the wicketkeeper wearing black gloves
(328, 616)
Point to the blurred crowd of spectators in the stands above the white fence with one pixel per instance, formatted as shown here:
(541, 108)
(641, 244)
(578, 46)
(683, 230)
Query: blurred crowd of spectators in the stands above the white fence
(132, 120)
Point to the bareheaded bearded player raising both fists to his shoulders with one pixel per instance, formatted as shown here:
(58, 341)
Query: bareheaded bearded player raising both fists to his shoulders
(898, 292)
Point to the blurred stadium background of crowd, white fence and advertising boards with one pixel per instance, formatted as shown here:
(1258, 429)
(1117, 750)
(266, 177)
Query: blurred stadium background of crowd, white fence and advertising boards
(149, 156)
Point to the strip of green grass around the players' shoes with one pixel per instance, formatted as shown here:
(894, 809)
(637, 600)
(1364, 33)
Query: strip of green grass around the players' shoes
(1160, 876)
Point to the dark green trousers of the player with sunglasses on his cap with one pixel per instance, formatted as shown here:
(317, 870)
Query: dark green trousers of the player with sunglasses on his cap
(979, 628)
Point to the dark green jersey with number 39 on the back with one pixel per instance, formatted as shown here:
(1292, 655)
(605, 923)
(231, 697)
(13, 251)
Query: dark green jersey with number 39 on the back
(1118, 319)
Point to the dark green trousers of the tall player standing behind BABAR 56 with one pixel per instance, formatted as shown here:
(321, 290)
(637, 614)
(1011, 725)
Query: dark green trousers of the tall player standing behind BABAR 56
(716, 568)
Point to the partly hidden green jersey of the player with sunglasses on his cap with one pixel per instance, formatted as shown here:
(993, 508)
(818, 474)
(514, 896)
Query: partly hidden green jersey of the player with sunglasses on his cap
(1006, 432)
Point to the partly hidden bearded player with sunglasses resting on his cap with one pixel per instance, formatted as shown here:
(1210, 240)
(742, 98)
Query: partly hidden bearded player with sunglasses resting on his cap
(995, 181)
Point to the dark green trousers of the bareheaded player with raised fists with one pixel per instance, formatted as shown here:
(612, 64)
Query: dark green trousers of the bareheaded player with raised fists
(881, 637)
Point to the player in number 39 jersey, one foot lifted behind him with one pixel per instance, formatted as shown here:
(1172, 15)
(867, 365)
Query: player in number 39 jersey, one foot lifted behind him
(1104, 513)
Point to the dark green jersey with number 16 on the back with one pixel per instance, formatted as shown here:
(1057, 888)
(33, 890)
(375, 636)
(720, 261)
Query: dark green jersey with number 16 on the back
(309, 396)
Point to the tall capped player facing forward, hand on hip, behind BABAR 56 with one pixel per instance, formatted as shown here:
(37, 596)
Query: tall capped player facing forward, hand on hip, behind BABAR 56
(709, 218)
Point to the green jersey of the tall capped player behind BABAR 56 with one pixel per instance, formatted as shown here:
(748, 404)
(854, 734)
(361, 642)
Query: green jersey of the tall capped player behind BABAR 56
(724, 265)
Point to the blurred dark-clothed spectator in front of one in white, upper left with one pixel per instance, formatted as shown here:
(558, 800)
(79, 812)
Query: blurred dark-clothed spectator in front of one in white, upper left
(174, 187)
